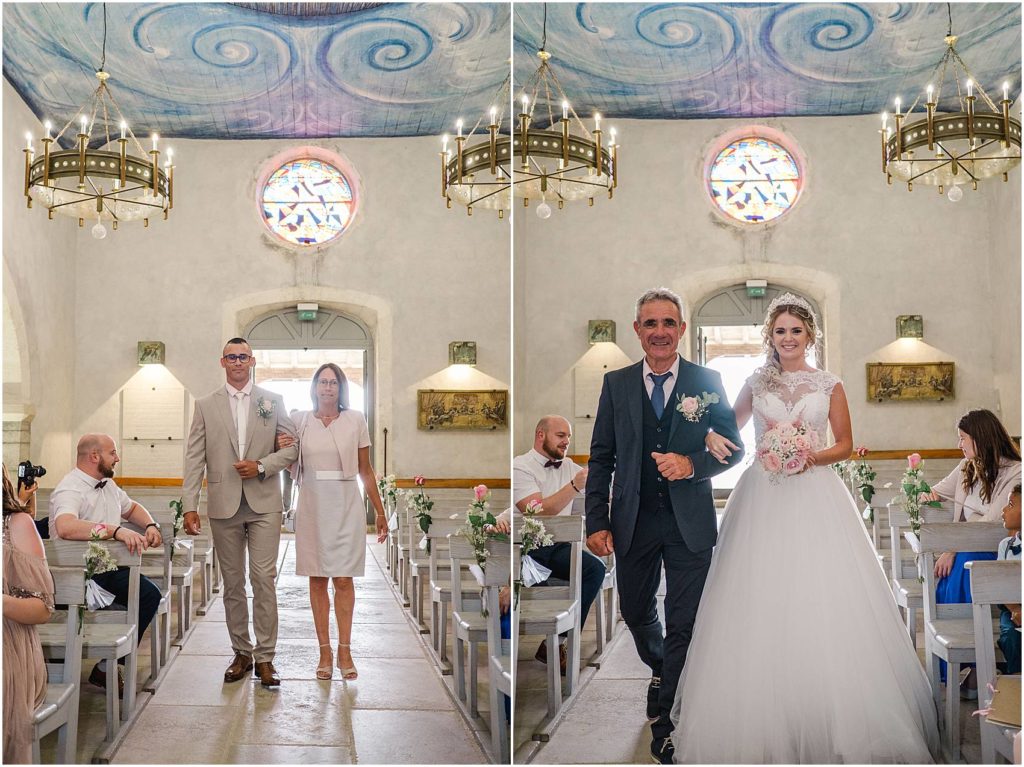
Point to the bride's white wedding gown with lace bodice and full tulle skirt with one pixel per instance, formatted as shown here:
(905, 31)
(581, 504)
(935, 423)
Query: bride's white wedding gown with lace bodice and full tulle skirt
(799, 653)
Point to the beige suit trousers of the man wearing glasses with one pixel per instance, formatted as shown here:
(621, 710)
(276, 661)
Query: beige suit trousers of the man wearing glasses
(261, 536)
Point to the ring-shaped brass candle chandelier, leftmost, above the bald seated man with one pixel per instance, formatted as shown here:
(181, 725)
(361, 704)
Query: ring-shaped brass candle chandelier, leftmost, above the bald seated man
(96, 177)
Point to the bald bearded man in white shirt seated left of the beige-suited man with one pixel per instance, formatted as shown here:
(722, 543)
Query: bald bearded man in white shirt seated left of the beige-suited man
(88, 497)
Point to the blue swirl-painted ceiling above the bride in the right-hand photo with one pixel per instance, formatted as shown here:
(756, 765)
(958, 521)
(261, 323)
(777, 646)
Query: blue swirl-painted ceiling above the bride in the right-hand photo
(676, 61)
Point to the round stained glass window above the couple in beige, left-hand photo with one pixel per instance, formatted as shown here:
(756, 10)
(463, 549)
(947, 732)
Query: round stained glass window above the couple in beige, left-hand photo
(308, 202)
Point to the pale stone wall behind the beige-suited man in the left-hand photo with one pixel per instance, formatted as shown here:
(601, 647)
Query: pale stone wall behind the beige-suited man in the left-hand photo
(420, 276)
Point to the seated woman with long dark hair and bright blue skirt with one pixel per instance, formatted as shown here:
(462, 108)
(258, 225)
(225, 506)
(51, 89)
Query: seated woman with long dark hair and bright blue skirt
(978, 488)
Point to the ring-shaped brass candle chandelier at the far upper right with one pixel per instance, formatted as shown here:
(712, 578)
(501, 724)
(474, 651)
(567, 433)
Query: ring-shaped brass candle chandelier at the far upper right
(951, 150)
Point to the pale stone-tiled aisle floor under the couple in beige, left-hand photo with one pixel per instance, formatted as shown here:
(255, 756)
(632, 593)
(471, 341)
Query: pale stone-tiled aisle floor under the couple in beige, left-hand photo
(399, 711)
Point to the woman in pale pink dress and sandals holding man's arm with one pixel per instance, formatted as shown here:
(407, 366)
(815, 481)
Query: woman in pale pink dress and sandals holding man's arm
(330, 524)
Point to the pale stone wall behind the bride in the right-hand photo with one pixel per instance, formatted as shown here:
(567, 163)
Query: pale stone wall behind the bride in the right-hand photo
(865, 251)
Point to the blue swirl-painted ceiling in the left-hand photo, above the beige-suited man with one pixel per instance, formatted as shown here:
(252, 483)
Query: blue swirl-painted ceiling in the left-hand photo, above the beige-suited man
(265, 71)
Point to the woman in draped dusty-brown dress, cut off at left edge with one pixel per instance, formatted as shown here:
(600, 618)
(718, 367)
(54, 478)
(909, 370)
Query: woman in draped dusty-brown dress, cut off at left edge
(28, 601)
